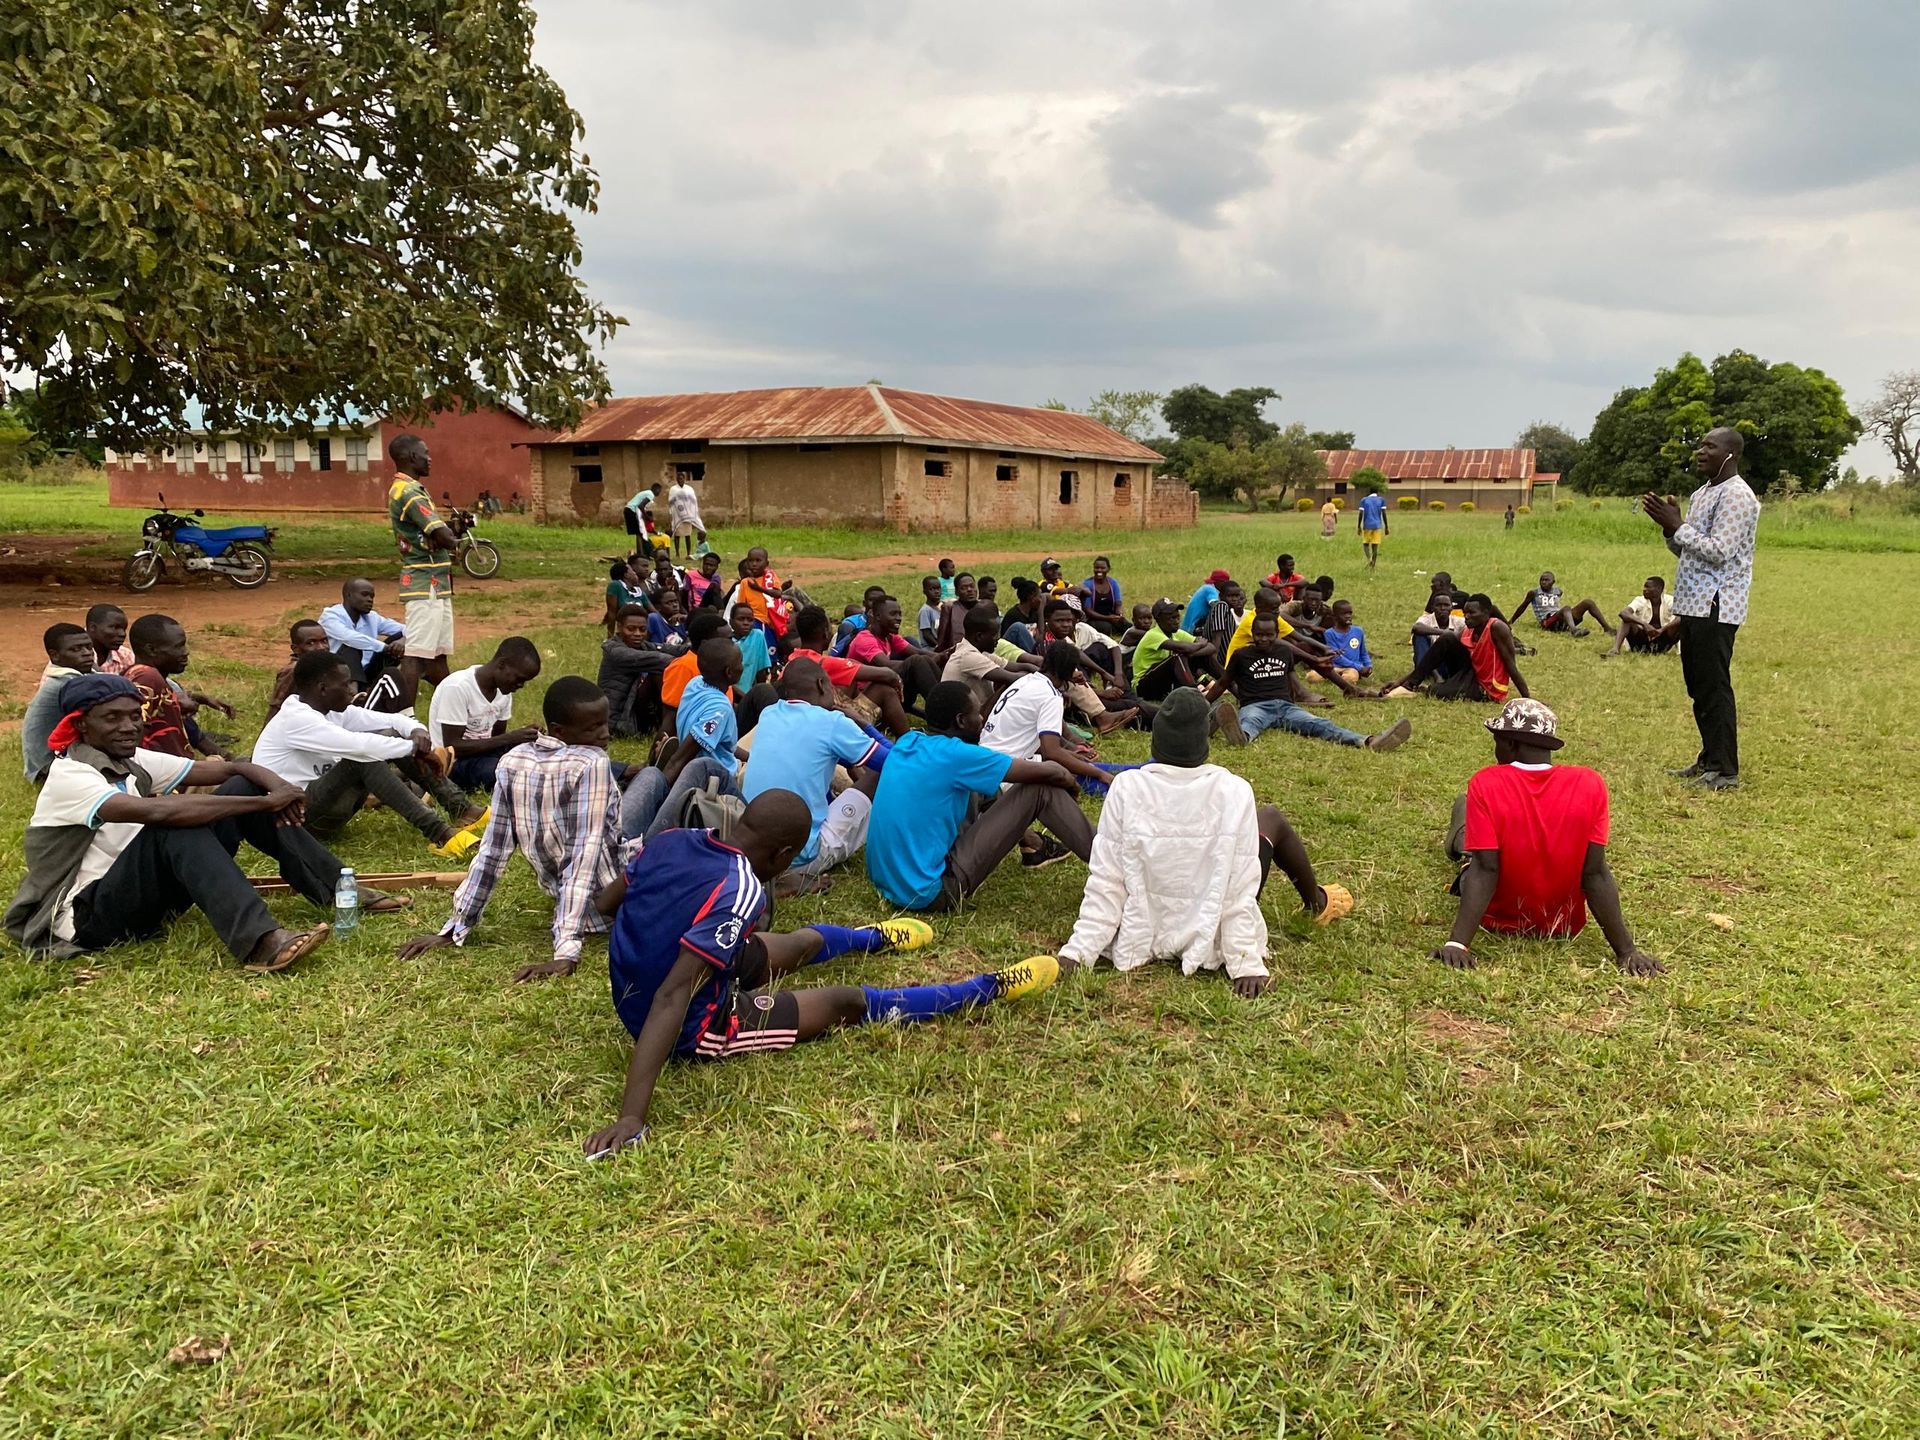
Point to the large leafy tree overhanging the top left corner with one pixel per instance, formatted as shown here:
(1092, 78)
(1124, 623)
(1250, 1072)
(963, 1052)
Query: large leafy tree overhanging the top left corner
(289, 208)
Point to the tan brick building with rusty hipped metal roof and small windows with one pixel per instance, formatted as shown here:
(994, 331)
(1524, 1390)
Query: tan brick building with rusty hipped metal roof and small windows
(859, 456)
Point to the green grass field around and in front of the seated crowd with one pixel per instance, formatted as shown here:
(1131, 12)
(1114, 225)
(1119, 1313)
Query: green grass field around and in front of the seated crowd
(1389, 1199)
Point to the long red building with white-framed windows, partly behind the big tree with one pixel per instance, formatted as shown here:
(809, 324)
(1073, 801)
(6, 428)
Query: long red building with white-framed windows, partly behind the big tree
(341, 468)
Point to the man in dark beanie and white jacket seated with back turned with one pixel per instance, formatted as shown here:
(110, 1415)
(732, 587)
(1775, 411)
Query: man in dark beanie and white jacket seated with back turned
(1180, 861)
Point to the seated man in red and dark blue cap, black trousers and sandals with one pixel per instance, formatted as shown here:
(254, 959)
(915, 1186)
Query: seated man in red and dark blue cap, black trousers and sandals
(116, 852)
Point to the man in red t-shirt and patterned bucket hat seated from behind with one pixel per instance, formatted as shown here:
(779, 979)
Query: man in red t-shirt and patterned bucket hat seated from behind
(1535, 840)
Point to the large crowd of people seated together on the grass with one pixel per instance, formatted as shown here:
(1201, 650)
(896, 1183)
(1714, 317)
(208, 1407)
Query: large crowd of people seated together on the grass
(788, 742)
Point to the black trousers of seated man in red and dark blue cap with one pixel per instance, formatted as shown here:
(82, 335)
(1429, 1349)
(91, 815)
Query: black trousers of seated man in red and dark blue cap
(170, 871)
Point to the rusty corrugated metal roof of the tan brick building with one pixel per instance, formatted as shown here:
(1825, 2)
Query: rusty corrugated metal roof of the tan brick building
(823, 414)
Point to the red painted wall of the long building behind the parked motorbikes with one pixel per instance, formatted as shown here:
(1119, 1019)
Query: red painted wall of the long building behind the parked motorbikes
(473, 452)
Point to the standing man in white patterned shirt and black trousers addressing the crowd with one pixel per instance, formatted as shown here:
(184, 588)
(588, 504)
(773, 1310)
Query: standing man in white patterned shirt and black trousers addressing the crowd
(1716, 548)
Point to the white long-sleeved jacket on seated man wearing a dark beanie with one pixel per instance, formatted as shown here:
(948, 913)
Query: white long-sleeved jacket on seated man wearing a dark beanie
(1174, 875)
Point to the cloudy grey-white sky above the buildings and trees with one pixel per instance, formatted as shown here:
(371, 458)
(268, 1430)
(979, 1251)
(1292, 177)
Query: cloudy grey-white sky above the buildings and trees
(1428, 224)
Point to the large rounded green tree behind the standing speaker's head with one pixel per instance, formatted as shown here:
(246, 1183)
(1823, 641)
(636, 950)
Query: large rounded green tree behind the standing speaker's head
(1796, 423)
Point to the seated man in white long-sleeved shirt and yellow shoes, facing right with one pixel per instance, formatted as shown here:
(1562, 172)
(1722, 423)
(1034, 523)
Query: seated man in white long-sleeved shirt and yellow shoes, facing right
(341, 754)
